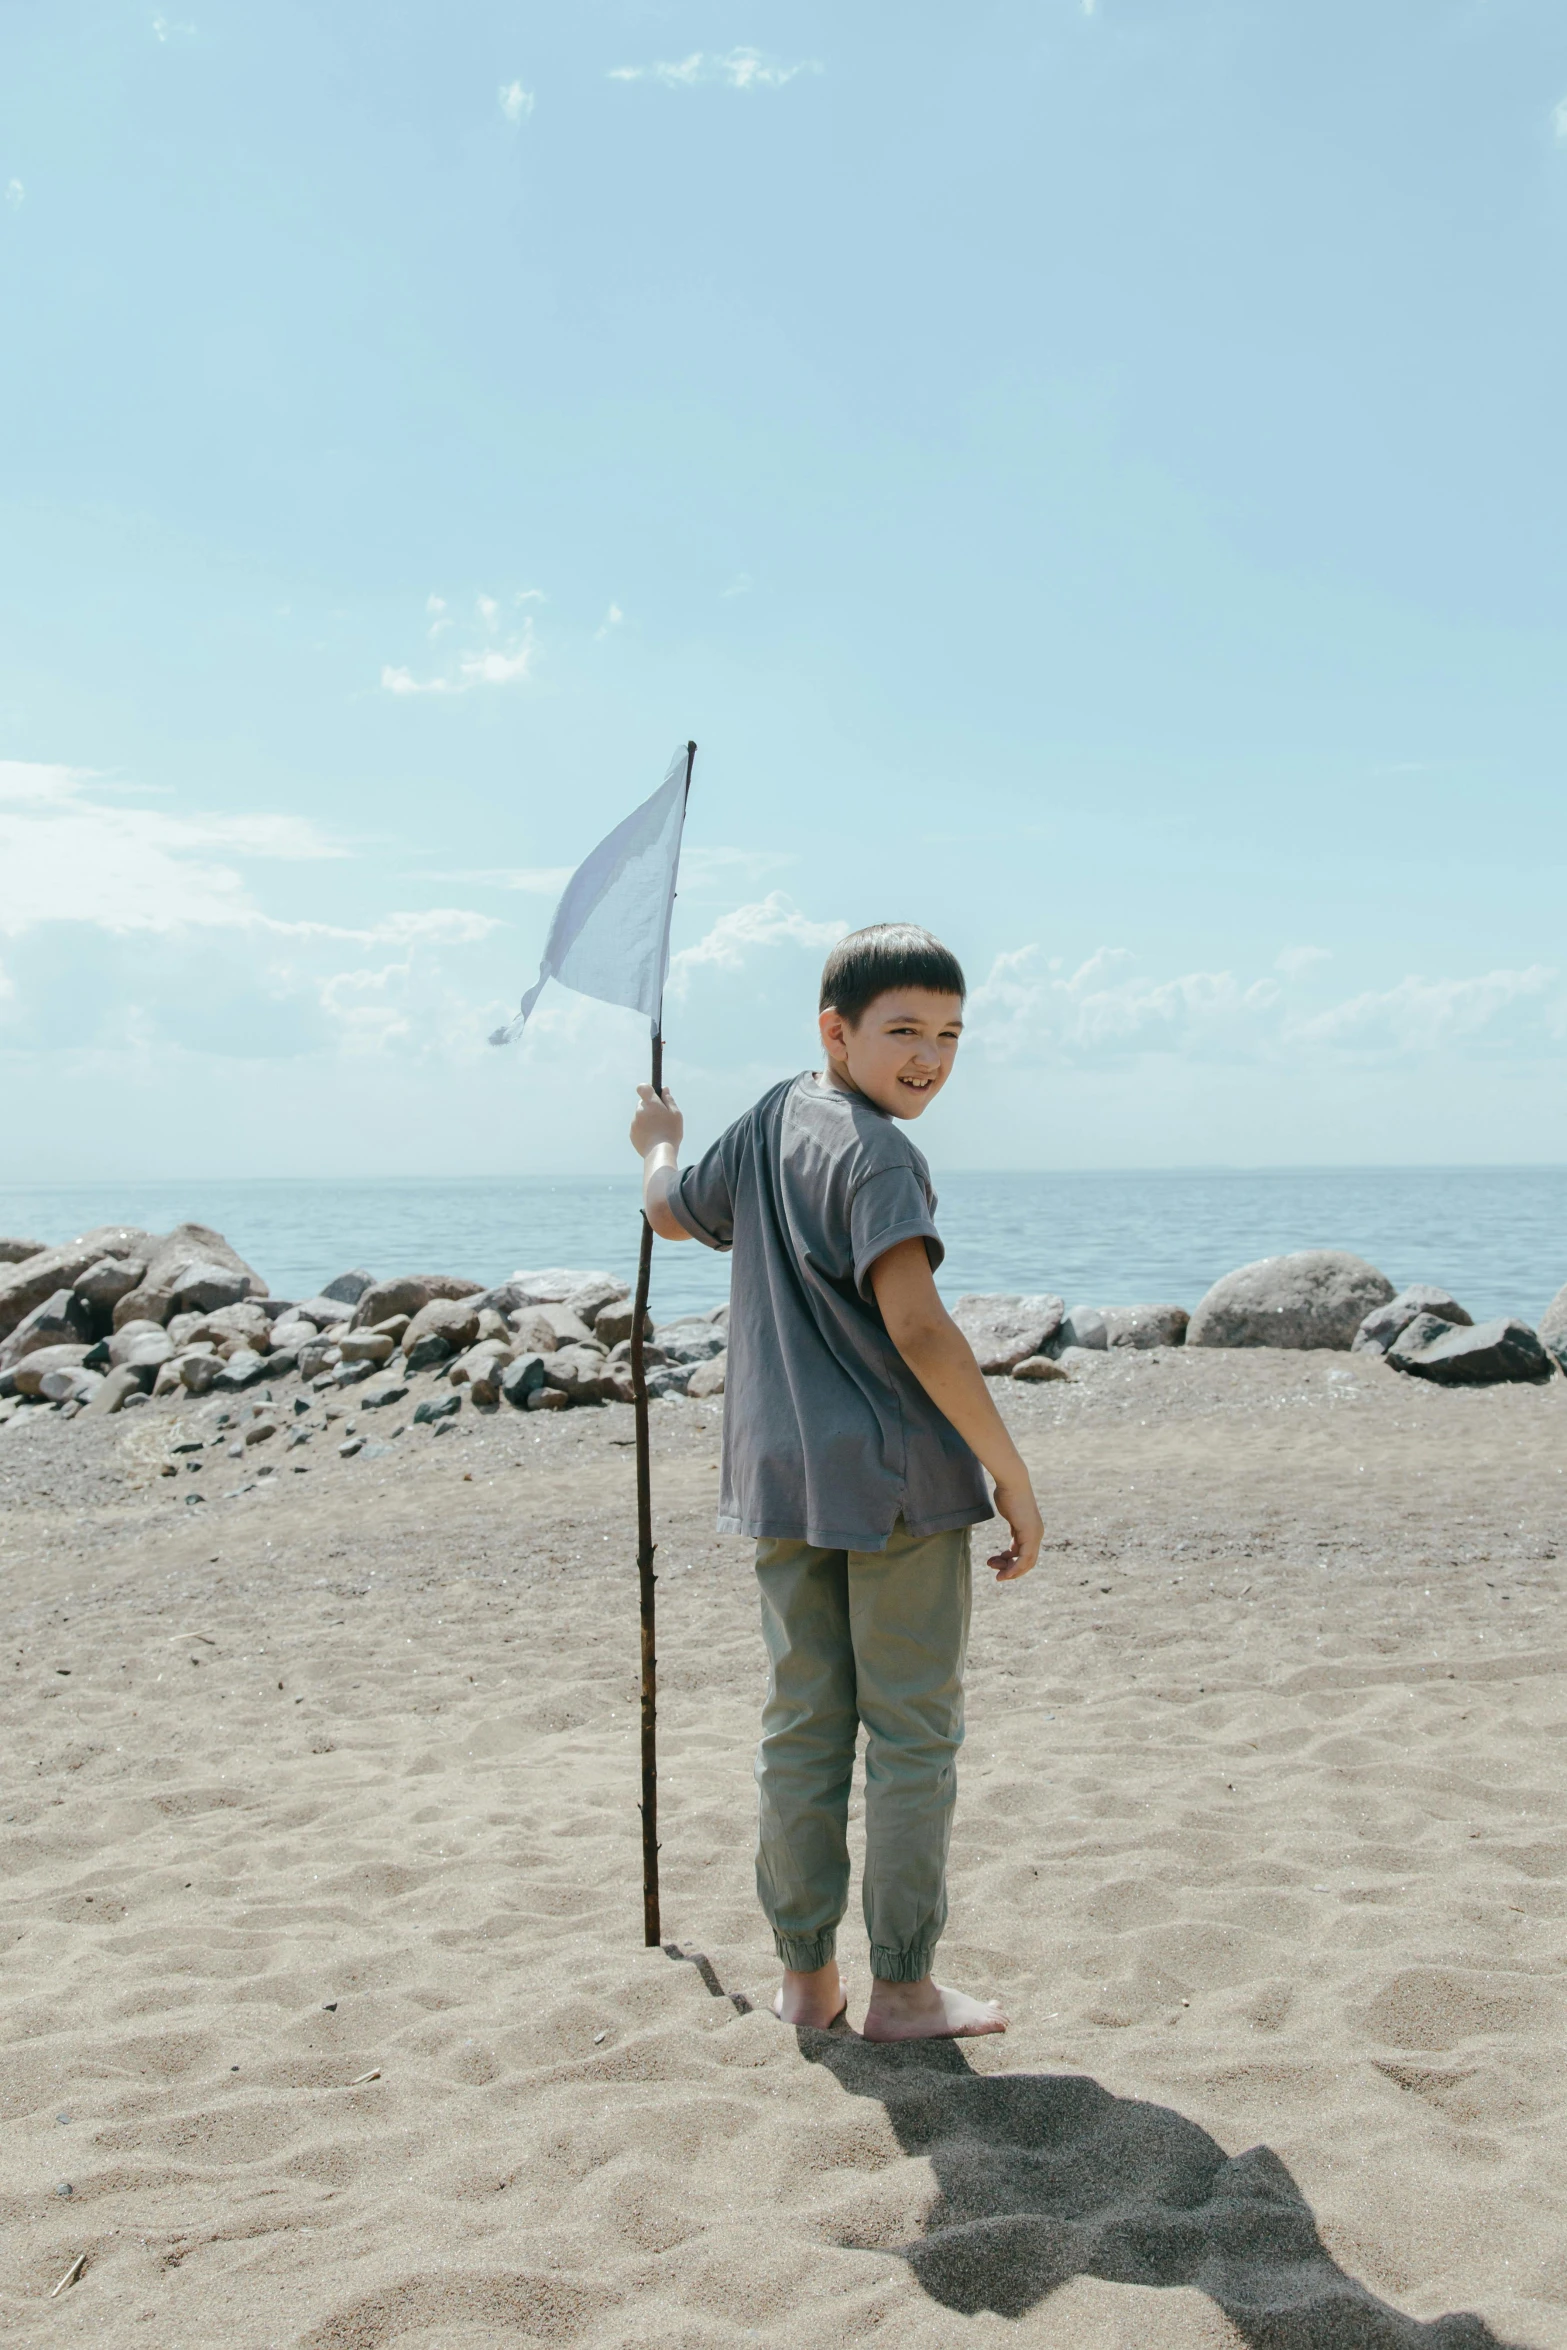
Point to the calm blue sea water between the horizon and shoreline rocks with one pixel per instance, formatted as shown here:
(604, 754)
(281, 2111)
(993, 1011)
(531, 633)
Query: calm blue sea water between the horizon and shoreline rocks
(1498, 1237)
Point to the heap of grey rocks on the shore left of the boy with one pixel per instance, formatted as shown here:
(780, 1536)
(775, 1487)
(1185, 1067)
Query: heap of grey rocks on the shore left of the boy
(121, 1317)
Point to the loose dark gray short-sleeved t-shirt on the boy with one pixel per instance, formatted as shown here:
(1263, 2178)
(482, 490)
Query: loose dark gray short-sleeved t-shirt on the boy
(828, 1435)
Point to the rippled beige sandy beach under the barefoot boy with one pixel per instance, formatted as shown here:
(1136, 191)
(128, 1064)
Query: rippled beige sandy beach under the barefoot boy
(325, 2008)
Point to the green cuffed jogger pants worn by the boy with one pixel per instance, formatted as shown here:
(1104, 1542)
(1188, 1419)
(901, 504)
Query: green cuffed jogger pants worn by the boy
(880, 1639)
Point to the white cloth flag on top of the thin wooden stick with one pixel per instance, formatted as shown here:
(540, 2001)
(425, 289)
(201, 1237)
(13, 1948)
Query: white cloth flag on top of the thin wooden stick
(612, 929)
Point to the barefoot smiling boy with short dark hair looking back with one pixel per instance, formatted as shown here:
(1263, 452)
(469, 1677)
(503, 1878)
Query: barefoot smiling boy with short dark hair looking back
(854, 1432)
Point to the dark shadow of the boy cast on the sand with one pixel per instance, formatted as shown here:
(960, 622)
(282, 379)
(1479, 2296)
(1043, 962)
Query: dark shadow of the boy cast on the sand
(1049, 2177)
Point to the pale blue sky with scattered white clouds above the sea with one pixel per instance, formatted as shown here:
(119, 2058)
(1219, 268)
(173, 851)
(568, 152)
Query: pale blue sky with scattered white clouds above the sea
(1089, 476)
